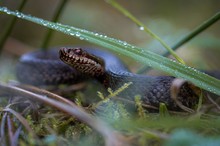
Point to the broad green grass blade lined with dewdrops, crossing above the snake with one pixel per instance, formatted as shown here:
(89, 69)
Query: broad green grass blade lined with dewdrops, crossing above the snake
(146, 57)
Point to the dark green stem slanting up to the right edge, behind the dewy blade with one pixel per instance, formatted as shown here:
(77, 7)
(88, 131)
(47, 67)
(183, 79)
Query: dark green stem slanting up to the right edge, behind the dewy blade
(206, 24)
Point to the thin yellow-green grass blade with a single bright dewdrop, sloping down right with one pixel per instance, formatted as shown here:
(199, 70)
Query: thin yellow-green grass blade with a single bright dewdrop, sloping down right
(144, 28)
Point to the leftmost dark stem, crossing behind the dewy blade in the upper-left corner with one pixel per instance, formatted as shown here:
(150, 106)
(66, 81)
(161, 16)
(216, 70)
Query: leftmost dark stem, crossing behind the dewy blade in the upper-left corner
(9, 27)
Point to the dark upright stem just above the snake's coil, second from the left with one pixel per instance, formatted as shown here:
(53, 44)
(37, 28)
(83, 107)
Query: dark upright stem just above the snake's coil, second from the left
(55, 18)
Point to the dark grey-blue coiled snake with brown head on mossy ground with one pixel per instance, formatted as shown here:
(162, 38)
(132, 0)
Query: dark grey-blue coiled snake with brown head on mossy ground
(69, 65)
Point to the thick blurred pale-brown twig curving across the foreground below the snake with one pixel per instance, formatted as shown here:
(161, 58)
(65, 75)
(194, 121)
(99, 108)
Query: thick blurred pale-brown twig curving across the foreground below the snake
(111, 138)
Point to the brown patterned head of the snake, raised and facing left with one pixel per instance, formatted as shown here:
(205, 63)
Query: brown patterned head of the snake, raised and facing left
(82, 61)
